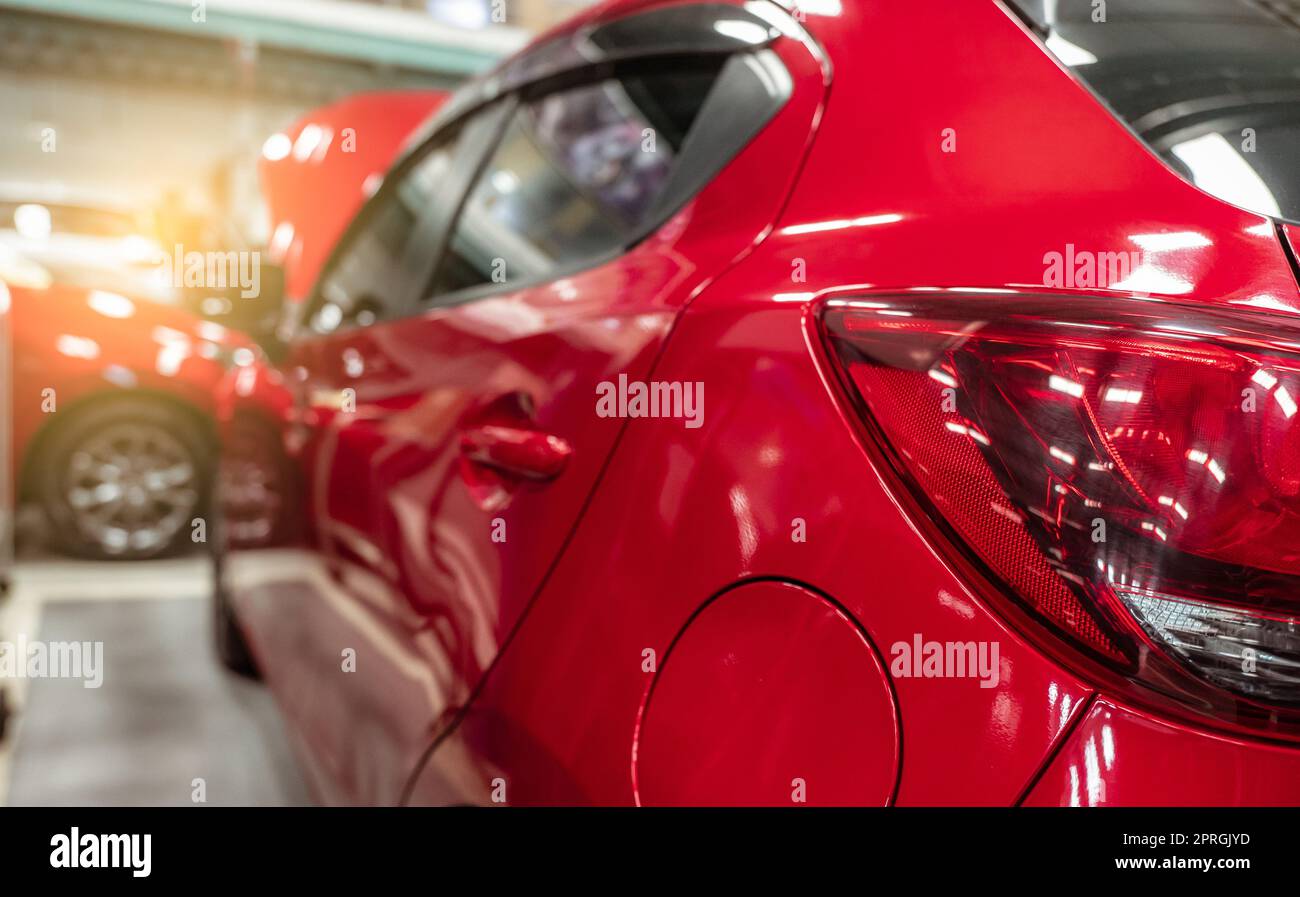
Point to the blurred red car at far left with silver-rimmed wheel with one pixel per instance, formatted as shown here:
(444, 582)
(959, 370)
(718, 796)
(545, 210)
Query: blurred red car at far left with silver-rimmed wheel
(112, 415)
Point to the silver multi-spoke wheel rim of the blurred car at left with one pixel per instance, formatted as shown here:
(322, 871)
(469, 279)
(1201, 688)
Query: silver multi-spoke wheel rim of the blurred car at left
(132, 487)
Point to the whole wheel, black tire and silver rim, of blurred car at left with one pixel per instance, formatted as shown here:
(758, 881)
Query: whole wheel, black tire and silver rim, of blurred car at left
(157, 506)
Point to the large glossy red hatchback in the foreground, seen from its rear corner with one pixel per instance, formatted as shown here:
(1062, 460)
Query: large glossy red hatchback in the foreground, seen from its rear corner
(822, 404)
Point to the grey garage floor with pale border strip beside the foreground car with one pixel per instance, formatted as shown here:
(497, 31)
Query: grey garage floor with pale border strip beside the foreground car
(166, 716)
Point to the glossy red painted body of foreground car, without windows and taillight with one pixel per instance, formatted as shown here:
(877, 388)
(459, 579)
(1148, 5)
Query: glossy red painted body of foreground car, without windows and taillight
(649, 630)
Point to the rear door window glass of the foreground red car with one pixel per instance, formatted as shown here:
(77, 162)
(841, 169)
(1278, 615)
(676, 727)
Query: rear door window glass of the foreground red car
(578, 175)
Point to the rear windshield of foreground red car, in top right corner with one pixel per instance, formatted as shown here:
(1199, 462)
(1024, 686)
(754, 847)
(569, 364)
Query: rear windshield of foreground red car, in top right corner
(1212, 86)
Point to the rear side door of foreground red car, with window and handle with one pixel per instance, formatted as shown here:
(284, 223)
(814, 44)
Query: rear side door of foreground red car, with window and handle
(456, 445)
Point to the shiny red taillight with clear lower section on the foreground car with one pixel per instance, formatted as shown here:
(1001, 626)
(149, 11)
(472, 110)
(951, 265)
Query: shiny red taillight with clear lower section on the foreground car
(1126, 471)
